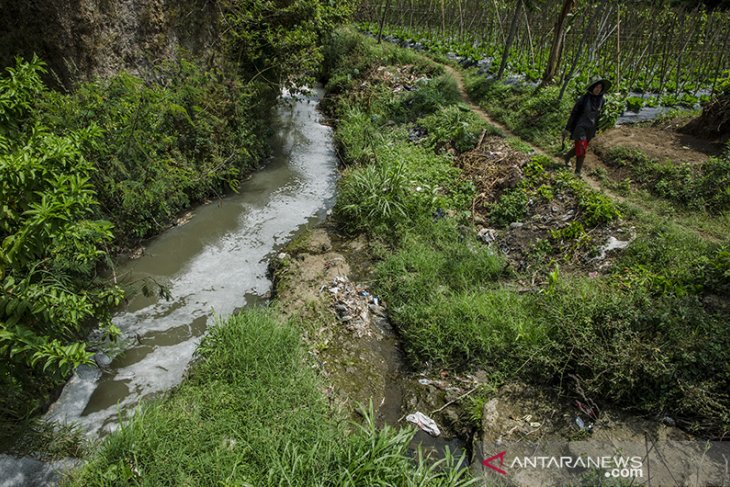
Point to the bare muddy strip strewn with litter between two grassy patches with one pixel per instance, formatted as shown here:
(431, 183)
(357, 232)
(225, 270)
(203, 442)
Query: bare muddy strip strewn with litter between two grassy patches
(321, 280)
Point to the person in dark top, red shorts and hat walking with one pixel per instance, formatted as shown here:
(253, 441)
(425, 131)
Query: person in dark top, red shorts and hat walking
(583, 122)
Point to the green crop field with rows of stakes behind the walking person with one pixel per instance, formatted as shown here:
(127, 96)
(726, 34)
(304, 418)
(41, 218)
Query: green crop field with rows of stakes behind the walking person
(666, 52)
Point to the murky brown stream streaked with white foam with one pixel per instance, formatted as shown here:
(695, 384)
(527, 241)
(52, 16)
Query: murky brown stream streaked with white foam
(213, 264)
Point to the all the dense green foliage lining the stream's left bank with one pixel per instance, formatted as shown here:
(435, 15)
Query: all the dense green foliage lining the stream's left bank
(95, 170)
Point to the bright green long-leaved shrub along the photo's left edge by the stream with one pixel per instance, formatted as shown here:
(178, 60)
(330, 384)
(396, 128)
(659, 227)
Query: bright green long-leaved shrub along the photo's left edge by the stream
(51, 241)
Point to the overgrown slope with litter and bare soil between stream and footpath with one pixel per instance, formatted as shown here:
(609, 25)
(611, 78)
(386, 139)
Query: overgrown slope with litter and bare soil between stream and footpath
(492, 256)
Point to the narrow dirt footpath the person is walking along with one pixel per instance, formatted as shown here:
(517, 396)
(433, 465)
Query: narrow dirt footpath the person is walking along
(591, 160)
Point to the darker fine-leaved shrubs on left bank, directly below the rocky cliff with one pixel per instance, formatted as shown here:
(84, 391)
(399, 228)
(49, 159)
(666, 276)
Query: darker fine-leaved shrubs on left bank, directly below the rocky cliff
(163, 146)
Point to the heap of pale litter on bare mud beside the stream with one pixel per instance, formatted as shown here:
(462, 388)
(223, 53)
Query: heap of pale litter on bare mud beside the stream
(356, 308)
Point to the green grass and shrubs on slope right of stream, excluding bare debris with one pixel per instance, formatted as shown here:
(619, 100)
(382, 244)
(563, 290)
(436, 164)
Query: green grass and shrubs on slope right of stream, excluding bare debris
(647, 334)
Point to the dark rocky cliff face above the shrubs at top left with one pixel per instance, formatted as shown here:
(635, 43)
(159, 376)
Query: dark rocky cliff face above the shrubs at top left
(80, 39)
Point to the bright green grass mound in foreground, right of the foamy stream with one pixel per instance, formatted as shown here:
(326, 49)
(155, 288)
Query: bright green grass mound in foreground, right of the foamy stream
(252, 413)
